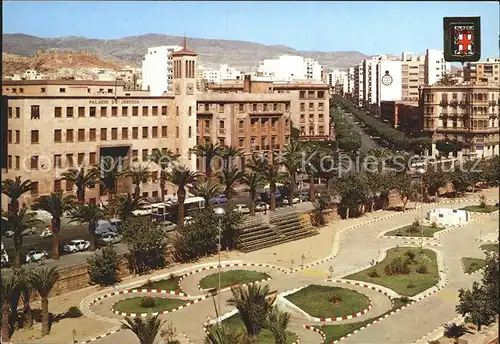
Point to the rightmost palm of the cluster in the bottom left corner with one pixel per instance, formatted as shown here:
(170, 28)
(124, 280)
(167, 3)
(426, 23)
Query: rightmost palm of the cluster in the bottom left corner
(43, 280)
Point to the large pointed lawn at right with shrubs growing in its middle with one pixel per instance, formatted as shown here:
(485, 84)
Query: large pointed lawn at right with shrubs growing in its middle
(401, 283)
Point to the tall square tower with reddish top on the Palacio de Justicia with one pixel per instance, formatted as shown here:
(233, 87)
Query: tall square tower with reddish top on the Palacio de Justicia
(184, 87)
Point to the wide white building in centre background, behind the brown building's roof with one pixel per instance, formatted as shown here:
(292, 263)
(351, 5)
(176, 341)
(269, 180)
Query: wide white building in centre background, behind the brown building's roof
(290, 67)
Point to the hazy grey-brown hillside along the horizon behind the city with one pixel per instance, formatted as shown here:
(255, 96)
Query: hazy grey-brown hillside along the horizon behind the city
(130, 50)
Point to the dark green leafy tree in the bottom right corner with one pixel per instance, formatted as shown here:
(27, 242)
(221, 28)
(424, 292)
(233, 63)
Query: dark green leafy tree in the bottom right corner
(476, 304)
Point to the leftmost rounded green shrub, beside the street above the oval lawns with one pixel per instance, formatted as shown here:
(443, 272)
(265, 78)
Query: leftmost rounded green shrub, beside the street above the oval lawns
(103, 267)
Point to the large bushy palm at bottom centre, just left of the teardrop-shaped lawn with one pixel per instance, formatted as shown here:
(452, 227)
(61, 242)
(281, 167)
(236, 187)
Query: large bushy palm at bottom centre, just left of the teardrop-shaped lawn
(253, 305)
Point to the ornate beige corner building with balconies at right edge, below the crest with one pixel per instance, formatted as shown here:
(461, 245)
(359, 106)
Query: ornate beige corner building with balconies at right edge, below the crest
(465, 113)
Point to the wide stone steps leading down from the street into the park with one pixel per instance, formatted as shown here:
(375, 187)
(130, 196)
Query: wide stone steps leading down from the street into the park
(257, 234)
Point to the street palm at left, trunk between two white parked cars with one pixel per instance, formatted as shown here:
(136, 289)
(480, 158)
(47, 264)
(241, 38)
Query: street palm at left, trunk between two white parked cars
(56, 204)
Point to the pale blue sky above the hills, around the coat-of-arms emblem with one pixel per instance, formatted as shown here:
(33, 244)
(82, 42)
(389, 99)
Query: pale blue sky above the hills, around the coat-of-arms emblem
(368, 27)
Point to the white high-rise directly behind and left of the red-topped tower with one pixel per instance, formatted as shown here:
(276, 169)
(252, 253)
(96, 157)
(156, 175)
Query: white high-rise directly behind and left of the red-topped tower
(157, 72)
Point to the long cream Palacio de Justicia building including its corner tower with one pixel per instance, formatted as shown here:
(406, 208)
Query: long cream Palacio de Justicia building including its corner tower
(54, 125)
